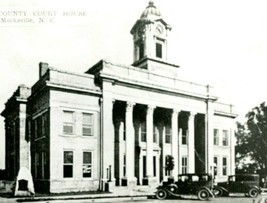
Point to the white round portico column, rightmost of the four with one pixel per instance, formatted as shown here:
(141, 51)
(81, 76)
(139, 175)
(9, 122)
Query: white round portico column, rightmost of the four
(191, 142)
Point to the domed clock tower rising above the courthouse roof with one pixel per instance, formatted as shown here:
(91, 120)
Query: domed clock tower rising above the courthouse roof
(150, 37)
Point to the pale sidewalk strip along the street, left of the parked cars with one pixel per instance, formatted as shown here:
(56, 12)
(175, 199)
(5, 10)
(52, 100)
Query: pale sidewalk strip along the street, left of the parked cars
(119, 194)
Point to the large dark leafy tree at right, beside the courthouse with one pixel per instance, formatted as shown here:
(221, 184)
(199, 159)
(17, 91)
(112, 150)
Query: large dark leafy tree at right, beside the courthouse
(252, 139)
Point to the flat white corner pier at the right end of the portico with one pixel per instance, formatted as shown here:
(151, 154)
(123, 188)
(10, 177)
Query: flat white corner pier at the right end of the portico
(209, 138)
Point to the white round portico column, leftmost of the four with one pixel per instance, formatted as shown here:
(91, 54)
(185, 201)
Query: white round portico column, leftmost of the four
(131, 180)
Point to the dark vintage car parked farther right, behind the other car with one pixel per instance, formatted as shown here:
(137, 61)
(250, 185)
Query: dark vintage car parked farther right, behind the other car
(249, 184)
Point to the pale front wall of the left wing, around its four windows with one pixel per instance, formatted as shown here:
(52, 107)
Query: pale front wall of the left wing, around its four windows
(61, 101)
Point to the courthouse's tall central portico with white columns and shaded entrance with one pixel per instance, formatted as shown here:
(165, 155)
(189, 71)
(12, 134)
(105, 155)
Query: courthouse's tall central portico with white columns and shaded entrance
(145, 131)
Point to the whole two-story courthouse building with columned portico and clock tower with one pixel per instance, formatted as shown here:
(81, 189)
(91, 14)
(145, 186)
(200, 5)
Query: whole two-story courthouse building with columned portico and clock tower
(116, 124)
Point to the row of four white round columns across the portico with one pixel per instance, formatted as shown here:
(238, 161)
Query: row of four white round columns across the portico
(149, 144)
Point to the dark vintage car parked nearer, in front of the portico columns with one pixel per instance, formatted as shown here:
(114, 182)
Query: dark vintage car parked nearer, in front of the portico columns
(187, 184)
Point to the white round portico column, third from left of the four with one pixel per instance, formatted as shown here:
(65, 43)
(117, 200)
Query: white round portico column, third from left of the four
(175, 143)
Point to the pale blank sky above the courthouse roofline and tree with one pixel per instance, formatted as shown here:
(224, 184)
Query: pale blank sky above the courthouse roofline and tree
(218, 42)
